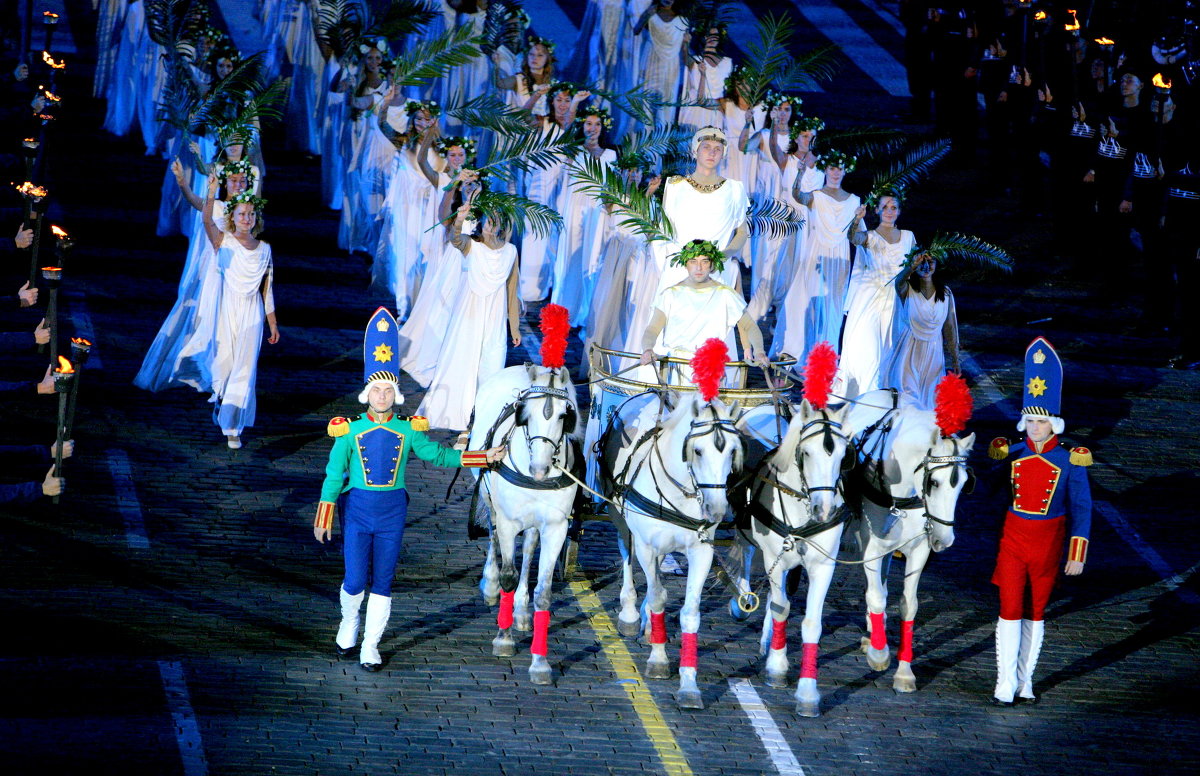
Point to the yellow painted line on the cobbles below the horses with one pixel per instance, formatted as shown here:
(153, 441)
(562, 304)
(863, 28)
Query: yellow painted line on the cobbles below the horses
(653, 723)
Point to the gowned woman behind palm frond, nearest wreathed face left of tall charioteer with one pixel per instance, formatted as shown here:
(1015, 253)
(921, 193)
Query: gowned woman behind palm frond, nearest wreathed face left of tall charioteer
(579, 260)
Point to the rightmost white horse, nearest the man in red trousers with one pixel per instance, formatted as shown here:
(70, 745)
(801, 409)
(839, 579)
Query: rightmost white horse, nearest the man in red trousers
(910, 478)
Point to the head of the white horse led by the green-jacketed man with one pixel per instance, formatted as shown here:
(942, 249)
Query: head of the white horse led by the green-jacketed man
(545, 418)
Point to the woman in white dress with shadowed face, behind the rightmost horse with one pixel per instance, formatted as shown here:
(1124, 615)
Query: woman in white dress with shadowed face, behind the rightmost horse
(928, 342)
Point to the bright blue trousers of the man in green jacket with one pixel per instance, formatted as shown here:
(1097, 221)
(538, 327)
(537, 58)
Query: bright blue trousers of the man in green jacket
(373, 532)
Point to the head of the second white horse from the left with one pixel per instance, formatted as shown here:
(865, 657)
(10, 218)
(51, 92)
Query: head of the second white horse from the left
(711, 450)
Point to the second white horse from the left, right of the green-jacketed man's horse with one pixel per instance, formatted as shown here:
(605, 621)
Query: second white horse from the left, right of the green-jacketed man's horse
(671, 489)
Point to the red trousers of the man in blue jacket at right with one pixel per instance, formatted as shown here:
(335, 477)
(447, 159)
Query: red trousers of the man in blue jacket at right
(1028, 566)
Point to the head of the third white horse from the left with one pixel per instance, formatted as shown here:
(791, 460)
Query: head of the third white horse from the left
(819, 443)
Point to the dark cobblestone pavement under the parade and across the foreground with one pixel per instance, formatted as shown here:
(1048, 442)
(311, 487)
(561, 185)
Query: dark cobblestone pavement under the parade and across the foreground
(179, 621)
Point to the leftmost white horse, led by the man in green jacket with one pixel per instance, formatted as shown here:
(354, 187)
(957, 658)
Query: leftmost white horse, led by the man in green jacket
(533, 412)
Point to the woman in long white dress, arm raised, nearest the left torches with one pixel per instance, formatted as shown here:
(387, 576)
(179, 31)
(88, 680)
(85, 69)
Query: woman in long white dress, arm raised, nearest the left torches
(247, 300)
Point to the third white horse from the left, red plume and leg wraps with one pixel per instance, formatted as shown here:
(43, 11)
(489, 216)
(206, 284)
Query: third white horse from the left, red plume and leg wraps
(796, 518)
